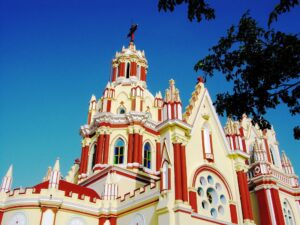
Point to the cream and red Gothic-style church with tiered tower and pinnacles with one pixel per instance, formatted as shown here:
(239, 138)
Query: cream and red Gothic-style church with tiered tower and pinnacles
(146, 160)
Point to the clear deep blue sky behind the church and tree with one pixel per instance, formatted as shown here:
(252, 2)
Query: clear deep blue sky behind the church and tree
(55, 54)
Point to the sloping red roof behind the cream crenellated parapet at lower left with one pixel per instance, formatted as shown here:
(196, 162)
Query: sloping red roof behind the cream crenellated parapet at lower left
(69, 187)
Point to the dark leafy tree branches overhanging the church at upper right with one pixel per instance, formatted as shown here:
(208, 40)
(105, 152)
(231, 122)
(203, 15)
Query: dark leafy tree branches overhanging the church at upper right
(262, 64)
